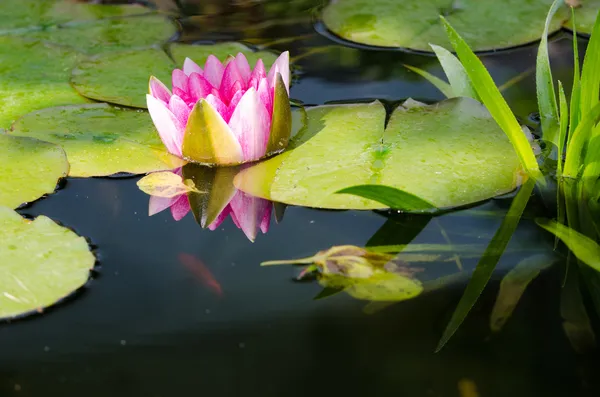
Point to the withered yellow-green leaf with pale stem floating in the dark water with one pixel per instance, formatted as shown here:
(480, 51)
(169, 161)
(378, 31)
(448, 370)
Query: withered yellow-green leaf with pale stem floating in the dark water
(361, 273)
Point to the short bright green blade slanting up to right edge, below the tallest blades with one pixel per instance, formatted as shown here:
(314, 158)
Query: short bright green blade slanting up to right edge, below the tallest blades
(579, 141)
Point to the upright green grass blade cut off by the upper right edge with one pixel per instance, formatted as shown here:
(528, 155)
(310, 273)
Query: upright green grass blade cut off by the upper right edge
(590, 73)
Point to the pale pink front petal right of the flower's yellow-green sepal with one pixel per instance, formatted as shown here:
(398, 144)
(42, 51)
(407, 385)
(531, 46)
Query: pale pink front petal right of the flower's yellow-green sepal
(250, 124)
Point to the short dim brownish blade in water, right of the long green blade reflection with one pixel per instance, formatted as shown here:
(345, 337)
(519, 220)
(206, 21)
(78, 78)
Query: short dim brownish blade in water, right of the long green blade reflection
(513, 286)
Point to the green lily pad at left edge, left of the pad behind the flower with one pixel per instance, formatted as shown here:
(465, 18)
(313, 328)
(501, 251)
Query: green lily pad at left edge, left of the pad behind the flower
(34, 75)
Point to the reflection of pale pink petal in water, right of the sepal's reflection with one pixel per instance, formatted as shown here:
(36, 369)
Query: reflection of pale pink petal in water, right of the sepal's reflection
(249, 211)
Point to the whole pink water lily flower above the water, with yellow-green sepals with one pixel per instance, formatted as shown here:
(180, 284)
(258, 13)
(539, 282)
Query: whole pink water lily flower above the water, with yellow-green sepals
(226, 113)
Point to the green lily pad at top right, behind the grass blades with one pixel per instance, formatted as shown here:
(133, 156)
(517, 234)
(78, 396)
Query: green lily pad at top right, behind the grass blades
(484, 24)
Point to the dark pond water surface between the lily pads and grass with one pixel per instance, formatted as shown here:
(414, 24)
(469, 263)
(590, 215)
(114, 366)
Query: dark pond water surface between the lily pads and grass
(148, 325)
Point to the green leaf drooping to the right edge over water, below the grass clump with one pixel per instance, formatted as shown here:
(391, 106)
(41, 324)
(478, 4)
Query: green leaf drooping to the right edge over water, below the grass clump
(583, 247)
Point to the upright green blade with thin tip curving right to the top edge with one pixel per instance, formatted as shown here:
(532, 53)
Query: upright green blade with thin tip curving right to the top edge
(545, 85)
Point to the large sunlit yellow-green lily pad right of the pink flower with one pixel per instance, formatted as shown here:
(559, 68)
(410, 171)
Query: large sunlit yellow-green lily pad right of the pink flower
(449, 154)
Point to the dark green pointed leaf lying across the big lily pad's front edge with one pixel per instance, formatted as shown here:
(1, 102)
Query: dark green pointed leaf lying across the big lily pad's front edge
(392, 197)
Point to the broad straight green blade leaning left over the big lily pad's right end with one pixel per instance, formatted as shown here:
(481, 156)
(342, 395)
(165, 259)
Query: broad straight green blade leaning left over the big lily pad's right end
(494, 101)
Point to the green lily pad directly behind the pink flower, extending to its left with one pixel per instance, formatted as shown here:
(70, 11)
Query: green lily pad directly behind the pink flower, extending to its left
(122, 78)
